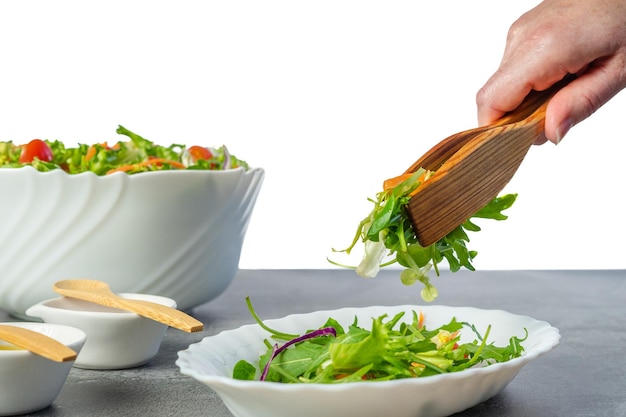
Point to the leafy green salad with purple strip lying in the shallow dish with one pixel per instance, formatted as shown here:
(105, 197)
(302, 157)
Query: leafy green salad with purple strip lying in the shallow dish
(390, 349)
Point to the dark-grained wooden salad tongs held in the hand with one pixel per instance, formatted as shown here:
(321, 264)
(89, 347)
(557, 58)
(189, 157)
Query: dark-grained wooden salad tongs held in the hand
(473, 166)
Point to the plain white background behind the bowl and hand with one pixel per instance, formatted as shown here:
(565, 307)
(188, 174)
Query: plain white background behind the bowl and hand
(329, 97)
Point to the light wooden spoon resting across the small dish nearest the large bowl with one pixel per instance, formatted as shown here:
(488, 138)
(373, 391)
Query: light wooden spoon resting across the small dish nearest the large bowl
(99, 292)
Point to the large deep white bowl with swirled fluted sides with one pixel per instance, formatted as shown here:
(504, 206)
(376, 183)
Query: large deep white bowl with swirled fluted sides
(176, 234)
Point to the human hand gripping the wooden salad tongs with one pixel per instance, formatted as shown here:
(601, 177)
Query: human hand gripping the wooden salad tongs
(556, 38)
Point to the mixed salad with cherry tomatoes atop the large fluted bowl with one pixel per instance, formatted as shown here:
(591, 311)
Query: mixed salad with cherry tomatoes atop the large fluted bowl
(132, 155)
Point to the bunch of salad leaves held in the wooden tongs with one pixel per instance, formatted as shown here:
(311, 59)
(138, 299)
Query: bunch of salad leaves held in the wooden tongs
(388, 236)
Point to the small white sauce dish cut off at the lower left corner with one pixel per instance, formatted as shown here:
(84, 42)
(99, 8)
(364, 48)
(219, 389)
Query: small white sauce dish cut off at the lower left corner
(29, 382)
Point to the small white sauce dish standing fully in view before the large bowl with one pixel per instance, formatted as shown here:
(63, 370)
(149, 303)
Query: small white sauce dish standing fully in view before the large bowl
(116, 339)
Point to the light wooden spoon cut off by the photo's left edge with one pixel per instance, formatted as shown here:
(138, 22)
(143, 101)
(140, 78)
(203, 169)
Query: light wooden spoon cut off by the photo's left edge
(37, 343)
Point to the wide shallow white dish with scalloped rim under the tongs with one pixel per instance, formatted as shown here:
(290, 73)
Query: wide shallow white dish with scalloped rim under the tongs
(211, 362)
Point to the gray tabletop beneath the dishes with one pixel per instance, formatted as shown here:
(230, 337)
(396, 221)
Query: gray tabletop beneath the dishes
(583, 376)
